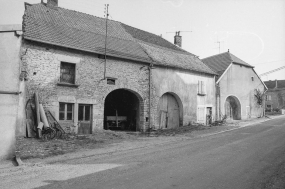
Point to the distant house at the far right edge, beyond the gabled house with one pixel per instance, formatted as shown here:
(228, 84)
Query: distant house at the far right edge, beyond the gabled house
(275, 95)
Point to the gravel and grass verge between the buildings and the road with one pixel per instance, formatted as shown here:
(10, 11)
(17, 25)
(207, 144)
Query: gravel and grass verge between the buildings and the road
(31, 148)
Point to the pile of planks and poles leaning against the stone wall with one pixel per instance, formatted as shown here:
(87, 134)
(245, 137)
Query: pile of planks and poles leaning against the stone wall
(41, 124)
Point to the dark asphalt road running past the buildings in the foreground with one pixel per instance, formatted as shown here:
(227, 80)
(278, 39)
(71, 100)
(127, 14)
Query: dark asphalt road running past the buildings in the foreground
(249, 157)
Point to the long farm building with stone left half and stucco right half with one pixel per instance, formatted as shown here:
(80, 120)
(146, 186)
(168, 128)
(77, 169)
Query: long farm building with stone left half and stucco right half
(145, 81)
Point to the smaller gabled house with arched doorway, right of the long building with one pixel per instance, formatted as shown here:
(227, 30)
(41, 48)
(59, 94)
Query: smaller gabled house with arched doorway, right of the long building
(236, 86)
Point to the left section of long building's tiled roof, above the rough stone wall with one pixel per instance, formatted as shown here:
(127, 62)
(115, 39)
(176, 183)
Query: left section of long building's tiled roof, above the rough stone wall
(76, 30)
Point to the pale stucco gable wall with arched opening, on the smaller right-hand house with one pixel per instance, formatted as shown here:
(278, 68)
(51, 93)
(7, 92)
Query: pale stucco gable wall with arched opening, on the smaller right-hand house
(237, 81)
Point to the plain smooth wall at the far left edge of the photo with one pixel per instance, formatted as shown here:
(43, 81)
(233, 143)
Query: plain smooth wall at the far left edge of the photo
(9, 77)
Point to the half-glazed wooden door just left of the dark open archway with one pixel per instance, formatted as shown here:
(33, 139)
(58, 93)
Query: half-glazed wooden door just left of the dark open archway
(84, 119)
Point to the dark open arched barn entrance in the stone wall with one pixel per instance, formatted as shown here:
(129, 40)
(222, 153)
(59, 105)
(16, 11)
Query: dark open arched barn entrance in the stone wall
(122, 110)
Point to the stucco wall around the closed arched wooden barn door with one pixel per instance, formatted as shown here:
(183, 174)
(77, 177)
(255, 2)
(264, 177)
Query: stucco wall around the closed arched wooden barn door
(185, 87)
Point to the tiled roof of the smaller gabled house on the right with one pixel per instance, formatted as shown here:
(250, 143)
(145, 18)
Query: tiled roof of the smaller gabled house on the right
(220, 62)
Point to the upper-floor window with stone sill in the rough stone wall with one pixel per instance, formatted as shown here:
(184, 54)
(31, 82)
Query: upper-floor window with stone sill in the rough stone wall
(67, 73)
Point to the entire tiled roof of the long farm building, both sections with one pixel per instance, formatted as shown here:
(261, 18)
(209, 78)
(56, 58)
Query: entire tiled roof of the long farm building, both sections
(75, 30)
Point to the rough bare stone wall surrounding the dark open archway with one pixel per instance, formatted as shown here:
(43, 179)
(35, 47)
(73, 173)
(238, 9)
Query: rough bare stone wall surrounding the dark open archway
(42, 63)
